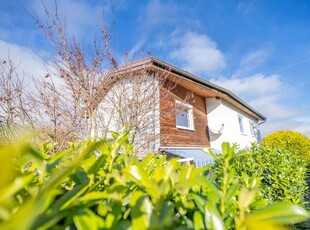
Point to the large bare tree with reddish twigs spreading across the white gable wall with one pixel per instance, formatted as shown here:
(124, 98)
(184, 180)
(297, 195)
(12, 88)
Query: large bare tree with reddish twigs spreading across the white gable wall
(82, 84)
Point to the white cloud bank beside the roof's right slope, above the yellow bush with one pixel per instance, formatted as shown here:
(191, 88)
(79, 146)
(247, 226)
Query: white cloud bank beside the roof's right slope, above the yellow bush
(268, 94)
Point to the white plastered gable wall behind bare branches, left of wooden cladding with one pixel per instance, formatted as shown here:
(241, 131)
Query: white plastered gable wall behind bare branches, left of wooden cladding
(145, 111)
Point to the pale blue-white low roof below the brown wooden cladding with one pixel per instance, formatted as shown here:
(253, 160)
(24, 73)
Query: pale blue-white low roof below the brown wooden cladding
(199, 156)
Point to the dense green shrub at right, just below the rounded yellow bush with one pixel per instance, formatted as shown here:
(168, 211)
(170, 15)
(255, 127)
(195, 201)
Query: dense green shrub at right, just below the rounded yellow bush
(281, 173)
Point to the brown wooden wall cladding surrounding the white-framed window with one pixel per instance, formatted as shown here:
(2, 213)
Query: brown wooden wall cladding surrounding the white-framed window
(170, 135)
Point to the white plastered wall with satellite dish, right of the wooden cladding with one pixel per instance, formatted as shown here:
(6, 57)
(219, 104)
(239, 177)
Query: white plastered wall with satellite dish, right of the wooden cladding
(224, 125)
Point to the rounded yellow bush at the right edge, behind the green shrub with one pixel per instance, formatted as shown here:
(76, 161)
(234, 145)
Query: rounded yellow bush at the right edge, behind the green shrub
(294, 142)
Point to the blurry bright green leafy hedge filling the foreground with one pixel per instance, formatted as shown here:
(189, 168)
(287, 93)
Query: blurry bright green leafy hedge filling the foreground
(92, 186)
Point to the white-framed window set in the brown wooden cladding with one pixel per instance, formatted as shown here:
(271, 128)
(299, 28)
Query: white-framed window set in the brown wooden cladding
(184, 116)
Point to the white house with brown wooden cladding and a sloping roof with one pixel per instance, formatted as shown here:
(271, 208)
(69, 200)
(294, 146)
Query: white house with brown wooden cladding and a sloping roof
(172, 110)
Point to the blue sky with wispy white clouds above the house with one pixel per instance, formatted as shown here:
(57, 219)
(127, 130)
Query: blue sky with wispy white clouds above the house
(260, 50)
